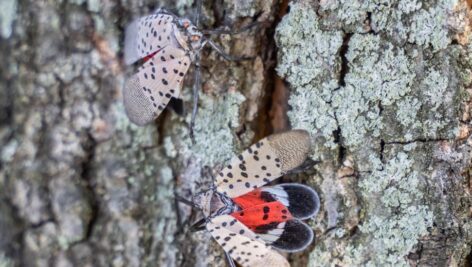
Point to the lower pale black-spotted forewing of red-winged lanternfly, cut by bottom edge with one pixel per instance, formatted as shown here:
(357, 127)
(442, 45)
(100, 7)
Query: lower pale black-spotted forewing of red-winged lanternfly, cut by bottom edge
(242, 244)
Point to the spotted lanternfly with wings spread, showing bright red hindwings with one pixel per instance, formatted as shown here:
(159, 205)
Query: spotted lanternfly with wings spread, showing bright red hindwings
(250, 220)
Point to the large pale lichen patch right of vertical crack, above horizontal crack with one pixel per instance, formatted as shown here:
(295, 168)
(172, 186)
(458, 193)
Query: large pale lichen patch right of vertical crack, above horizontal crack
(385, 96)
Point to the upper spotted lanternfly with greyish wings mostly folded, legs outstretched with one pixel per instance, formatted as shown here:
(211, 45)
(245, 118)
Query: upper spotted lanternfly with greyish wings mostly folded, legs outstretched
(167, 44)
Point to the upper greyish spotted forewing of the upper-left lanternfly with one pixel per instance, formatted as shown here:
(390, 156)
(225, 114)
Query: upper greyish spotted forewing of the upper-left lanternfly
(147, 35)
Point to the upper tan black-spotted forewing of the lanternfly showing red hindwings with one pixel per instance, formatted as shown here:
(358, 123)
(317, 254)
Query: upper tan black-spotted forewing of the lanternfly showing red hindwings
(263, 162)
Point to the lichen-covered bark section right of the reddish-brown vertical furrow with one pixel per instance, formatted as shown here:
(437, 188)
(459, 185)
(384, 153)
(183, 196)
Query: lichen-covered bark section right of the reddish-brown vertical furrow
(377, 84)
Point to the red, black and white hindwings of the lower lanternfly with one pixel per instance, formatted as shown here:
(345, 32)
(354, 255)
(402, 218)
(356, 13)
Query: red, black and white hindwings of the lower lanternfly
(272, 212)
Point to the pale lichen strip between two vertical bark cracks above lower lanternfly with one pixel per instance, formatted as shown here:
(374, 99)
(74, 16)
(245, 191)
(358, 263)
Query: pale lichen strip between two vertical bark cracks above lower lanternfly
(307, 59)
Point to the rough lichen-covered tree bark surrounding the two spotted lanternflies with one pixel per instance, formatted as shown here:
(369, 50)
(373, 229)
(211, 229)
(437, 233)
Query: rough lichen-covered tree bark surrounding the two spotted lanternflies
(383, 87)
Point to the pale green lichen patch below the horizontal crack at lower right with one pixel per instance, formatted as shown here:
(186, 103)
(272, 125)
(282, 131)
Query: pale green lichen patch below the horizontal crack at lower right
(395, 218)
